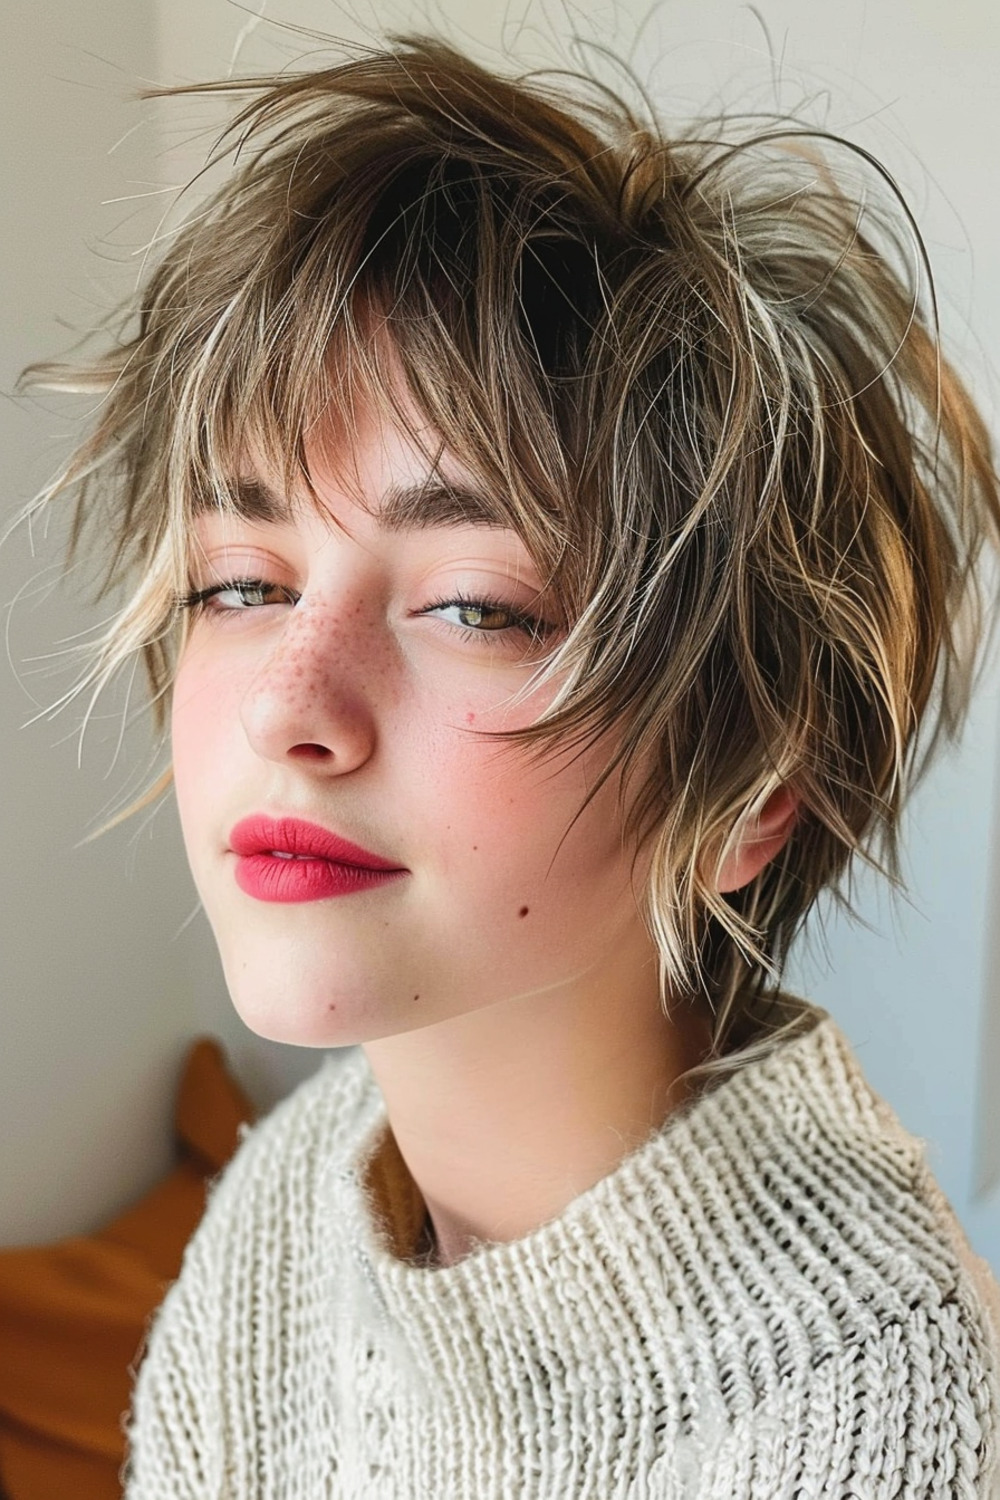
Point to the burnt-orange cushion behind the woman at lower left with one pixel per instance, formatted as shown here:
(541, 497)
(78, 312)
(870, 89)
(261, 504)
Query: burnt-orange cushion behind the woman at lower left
(74, 1315)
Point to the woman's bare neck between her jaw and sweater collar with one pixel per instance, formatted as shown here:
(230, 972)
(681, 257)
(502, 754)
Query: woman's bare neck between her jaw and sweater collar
(507, 1114)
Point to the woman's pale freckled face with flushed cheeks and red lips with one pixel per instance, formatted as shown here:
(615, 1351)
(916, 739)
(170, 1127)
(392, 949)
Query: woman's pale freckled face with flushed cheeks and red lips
(347, 686)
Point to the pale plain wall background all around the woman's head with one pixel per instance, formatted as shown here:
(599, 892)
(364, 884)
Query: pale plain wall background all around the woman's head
(106, 994)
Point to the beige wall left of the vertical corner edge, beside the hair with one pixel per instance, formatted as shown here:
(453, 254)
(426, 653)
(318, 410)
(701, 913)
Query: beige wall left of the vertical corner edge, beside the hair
(88, 983)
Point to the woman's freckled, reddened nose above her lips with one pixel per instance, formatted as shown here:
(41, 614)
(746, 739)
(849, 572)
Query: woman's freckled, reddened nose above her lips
(308, 703)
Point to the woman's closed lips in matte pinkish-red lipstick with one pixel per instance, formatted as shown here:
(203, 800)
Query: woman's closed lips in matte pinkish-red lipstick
(287, 860)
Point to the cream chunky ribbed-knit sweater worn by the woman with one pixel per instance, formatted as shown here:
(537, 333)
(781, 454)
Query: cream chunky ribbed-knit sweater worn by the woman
(770, 1300)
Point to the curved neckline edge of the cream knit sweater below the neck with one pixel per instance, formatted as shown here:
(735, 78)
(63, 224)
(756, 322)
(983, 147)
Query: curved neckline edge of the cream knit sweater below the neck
(376, 1196)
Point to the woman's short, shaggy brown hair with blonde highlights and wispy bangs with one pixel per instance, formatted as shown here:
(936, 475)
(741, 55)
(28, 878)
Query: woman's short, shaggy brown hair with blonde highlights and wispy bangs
(698, 376)
